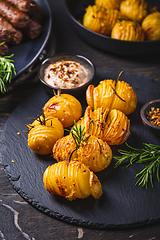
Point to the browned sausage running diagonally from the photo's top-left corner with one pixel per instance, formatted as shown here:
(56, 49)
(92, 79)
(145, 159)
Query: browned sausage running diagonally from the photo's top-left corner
(14, 16)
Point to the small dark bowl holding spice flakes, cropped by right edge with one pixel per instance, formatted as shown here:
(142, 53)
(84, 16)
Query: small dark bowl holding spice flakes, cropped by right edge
(143, 113)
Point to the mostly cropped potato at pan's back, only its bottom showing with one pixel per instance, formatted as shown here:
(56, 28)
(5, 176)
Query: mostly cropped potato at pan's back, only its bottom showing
(109, 4)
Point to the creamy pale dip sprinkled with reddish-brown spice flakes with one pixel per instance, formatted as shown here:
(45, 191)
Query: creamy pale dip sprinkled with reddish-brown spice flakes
(66, 74)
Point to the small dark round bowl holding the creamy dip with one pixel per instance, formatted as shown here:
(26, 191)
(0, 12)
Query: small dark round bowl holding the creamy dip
(85, 62)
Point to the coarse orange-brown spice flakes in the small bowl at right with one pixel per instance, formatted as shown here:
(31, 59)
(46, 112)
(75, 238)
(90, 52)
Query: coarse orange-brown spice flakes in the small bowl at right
(153, 116)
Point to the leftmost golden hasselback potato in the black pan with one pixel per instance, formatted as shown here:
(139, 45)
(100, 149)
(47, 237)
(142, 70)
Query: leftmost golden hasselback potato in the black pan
(100, 20)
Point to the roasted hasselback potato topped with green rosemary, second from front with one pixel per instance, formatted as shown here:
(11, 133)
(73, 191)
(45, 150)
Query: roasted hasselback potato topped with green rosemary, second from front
(93, 152)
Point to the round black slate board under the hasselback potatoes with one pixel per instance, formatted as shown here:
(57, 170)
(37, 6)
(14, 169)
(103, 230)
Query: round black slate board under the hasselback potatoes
(122, 204)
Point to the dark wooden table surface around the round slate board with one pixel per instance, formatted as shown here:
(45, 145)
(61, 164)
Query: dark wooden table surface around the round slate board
(18, 219)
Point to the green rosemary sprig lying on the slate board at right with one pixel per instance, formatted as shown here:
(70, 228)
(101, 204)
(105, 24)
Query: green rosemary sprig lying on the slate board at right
(149, 155)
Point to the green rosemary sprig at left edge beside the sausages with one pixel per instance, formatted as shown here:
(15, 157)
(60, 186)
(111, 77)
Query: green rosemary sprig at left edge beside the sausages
(7, 69)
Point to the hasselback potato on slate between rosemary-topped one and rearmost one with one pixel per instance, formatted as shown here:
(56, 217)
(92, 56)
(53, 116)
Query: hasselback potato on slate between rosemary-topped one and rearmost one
(112, 128)
